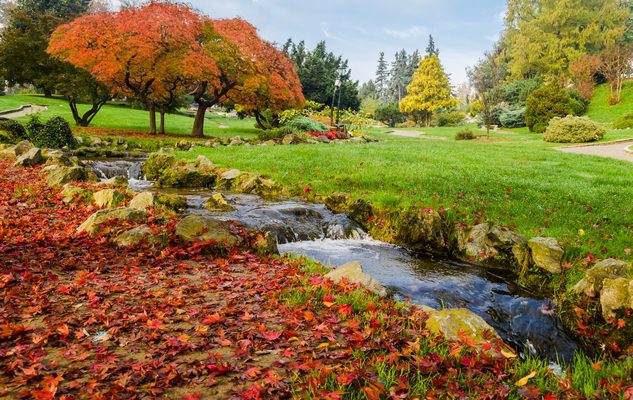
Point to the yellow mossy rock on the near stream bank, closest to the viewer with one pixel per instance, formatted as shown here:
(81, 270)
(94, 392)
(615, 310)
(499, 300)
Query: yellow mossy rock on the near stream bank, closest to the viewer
(451, 322)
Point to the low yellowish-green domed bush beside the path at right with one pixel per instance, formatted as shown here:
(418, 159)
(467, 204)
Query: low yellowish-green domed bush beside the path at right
(573, 130)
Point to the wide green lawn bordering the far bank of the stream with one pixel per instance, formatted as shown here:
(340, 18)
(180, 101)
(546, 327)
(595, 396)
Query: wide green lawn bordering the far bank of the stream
(518, 182)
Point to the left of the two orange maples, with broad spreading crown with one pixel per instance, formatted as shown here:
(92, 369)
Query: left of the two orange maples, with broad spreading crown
(152, 53)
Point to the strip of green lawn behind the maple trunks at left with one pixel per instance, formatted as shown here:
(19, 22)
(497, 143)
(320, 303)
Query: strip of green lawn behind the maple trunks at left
(122, 117)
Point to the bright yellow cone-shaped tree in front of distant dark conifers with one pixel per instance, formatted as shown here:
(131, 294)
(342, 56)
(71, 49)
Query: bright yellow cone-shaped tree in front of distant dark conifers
(429, 91)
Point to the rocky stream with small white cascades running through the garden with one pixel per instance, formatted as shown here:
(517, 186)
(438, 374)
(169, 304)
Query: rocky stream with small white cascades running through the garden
(526, 322)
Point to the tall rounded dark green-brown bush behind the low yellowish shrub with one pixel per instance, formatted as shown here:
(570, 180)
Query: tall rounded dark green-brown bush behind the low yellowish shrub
(546, 103)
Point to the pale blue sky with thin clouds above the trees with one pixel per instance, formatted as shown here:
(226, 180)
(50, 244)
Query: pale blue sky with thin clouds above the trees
(360, 30)
